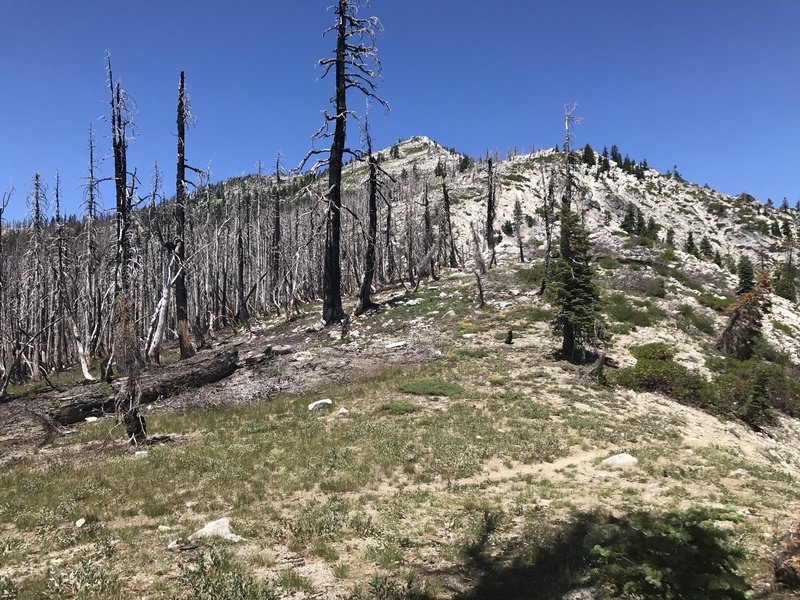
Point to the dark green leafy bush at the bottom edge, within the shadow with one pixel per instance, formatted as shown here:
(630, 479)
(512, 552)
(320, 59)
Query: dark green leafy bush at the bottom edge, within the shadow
(680, 555)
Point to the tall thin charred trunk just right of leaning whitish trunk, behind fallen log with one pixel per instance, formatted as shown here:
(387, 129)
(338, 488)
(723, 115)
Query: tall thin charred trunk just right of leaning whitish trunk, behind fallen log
(181, 301)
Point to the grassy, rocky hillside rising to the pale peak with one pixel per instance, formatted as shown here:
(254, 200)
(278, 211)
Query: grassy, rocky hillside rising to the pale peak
(448, 463)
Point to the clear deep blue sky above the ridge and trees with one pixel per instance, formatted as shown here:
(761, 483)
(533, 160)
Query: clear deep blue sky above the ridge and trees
(710, 85)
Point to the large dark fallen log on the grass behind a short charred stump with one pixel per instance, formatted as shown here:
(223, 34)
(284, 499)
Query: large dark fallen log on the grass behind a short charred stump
(158, 383)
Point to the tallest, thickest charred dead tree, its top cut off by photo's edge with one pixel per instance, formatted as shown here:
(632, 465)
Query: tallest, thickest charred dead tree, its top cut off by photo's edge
(356, 65)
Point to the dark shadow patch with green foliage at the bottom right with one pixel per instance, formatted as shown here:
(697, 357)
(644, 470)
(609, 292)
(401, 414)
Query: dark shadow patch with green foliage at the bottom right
(677, 554)
